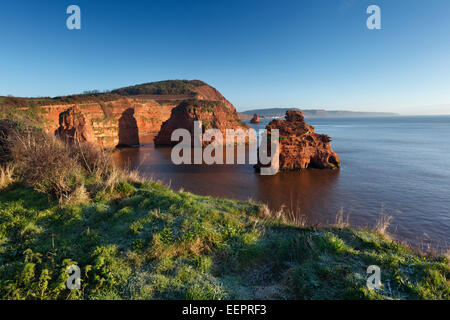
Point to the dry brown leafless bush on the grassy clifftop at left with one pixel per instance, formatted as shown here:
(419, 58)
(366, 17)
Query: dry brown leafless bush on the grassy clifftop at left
(62, 169)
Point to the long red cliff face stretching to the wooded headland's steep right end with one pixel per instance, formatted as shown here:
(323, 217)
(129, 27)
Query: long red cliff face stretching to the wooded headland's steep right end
(120, 122)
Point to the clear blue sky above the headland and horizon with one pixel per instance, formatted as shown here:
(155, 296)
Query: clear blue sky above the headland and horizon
(301, 53)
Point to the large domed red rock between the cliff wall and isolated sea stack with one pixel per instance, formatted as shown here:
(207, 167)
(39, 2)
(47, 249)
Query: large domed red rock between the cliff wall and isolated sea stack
(213, 114)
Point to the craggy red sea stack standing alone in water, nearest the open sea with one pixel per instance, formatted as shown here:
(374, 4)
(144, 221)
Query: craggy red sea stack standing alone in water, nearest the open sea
(300, 146)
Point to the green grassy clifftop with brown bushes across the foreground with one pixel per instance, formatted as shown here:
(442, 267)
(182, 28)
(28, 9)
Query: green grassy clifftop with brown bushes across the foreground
(134, 239)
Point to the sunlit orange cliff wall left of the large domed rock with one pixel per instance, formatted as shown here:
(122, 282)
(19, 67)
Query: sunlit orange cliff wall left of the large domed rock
(108, 124)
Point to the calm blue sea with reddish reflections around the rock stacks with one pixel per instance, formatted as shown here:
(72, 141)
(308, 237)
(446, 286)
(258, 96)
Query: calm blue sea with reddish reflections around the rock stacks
(398, 165)
